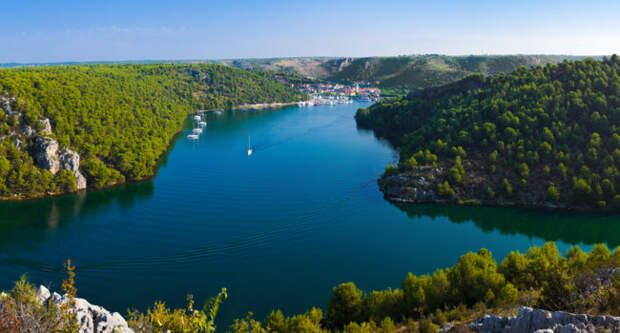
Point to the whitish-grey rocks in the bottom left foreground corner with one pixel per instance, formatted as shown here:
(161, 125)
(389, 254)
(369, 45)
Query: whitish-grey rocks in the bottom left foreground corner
(91, 318)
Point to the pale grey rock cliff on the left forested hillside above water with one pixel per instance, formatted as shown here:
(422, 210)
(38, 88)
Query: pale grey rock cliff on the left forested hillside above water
(48, 157)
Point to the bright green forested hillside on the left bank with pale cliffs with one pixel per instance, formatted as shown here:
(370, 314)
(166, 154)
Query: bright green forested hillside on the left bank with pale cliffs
(118, 118)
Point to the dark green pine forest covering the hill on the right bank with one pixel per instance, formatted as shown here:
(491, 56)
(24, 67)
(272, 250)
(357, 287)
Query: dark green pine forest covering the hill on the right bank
(544, 136)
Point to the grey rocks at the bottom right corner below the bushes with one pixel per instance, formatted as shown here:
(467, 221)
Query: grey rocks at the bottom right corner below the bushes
(534, 320)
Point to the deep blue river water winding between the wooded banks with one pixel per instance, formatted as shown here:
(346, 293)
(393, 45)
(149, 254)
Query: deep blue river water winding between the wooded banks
(279, 228)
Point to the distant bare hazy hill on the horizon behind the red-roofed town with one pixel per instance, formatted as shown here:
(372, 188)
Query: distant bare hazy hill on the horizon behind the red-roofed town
(406, 72)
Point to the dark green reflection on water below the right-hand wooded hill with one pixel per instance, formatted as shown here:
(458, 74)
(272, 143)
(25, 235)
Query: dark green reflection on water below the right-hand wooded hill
(567, 227)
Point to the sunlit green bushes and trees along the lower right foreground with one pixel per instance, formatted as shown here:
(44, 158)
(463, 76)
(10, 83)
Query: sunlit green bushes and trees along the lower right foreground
(578, 282)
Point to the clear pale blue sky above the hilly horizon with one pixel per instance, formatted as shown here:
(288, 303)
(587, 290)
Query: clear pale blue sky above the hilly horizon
(96, 30)
